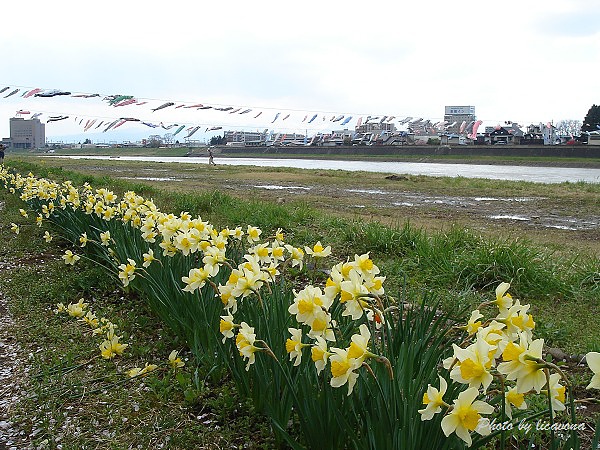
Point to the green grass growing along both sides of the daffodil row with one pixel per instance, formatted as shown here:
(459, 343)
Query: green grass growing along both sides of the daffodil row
(459, 265)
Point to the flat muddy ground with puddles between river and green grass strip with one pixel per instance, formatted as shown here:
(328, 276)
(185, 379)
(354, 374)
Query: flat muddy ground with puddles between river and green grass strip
(553, 215)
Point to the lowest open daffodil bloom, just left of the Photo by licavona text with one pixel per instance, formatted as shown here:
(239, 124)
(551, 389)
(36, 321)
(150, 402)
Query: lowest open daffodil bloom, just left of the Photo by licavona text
(465, 416)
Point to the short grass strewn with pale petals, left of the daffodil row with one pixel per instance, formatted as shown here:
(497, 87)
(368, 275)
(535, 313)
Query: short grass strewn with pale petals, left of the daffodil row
(96, 405)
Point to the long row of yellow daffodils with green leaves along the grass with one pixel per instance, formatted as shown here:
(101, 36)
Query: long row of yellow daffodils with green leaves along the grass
(335, 362)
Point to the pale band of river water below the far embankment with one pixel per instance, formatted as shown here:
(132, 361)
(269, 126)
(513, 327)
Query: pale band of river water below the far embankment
(489, 171)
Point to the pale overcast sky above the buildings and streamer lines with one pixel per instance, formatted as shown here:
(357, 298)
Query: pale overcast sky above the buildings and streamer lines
(527, 61)
